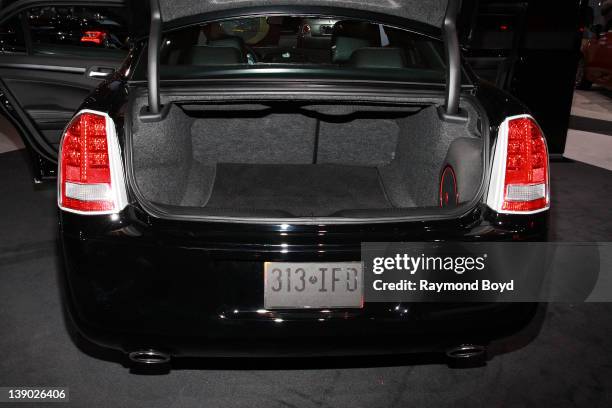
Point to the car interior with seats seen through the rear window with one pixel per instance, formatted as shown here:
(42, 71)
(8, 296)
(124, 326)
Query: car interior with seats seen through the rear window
(296, 40)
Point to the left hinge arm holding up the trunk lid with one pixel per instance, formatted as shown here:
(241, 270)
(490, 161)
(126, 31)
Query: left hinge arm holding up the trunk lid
(154, 111)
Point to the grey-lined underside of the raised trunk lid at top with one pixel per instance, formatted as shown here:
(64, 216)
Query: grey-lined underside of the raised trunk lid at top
(430, 12)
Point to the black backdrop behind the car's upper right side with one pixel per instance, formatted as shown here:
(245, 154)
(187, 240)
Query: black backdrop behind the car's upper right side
(531, 49)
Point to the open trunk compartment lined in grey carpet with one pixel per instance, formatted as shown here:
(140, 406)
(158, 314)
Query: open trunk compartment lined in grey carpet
(295, 159)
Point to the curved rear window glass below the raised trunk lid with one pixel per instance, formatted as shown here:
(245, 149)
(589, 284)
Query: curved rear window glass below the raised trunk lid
(308, 44)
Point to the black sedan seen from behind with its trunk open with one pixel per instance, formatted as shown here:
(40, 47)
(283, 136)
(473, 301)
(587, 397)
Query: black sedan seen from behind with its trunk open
(205, 184)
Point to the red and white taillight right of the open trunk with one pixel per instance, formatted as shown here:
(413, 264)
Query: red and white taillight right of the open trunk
(520, 177)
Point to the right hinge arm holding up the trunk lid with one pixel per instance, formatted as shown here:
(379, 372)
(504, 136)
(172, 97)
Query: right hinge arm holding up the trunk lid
(451, 111)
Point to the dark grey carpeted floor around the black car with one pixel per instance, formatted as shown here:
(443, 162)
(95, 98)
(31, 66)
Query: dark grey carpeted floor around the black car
(569, 363)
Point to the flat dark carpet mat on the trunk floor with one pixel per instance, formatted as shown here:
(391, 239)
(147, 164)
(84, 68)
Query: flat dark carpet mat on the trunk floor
(304, 190)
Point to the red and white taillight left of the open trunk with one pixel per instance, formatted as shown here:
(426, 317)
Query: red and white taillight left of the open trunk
(91, 177)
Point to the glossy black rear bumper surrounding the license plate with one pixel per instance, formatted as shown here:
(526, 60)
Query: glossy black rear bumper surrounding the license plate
(195, 289)
